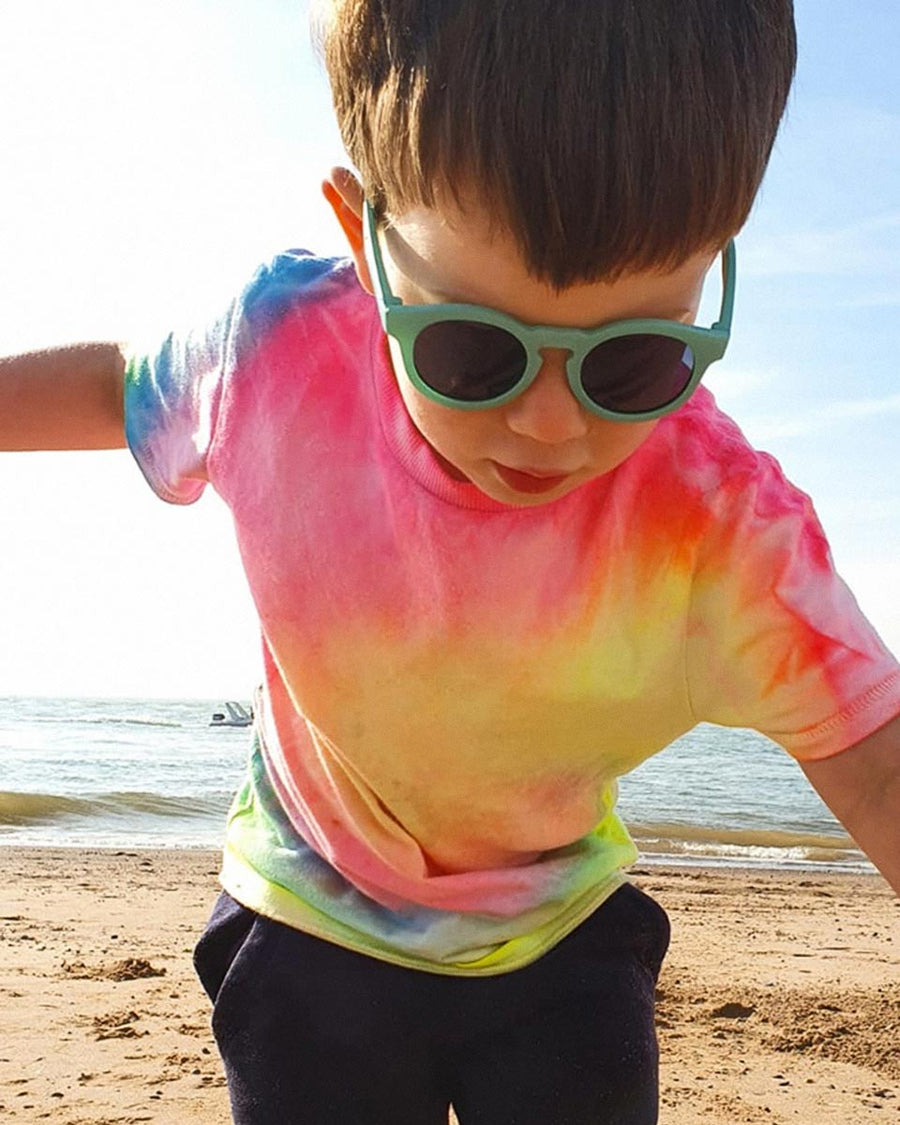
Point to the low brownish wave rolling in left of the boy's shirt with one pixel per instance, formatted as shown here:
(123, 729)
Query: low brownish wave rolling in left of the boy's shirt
(24, 809)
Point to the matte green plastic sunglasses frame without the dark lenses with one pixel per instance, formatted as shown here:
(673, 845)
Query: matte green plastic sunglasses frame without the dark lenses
(406, 322)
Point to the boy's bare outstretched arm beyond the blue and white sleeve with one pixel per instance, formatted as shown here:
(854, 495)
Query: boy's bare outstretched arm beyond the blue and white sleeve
(64, 399)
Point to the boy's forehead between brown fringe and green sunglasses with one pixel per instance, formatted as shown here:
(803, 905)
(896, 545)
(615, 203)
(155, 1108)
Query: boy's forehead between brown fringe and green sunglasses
(451, 256)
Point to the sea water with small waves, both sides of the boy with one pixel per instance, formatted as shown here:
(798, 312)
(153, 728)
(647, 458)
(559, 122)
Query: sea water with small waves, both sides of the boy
(155, 773)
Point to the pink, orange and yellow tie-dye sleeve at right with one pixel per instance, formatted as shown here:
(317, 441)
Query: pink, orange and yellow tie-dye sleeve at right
(776, 640)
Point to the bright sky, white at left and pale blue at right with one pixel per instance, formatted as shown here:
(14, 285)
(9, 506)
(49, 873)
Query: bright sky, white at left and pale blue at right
(156, 152)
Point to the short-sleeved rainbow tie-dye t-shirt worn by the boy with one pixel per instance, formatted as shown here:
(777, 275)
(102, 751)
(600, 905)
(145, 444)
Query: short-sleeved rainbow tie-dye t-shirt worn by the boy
(453, 686)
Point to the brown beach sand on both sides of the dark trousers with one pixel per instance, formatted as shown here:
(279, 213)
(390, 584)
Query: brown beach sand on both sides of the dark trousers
(779, 1003)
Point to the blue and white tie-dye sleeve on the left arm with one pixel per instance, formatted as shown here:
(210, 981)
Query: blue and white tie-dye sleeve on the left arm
(173, 397)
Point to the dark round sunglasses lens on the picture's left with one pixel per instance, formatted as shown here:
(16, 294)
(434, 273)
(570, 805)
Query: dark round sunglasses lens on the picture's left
(467, 361)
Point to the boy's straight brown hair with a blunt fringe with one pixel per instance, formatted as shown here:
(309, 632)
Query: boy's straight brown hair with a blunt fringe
(606, 136)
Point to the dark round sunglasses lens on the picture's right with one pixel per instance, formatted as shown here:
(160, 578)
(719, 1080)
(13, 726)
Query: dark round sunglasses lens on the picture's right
(631, 375)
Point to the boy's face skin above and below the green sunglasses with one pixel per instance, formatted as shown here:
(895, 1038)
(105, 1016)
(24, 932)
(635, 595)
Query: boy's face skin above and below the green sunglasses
(544, 444)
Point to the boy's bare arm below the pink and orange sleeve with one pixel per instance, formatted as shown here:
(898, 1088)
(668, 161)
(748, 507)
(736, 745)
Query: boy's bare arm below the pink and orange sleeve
(862, 788)
